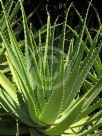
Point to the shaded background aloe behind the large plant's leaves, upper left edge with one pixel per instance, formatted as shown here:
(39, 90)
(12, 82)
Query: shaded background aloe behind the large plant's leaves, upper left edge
(12, 10)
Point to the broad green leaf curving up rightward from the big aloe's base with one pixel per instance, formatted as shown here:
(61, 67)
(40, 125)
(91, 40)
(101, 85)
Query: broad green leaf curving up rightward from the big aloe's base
(63, 125)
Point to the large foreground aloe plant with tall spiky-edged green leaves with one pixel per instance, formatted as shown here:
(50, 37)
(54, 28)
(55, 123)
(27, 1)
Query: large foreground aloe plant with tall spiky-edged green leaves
(45, 85)
